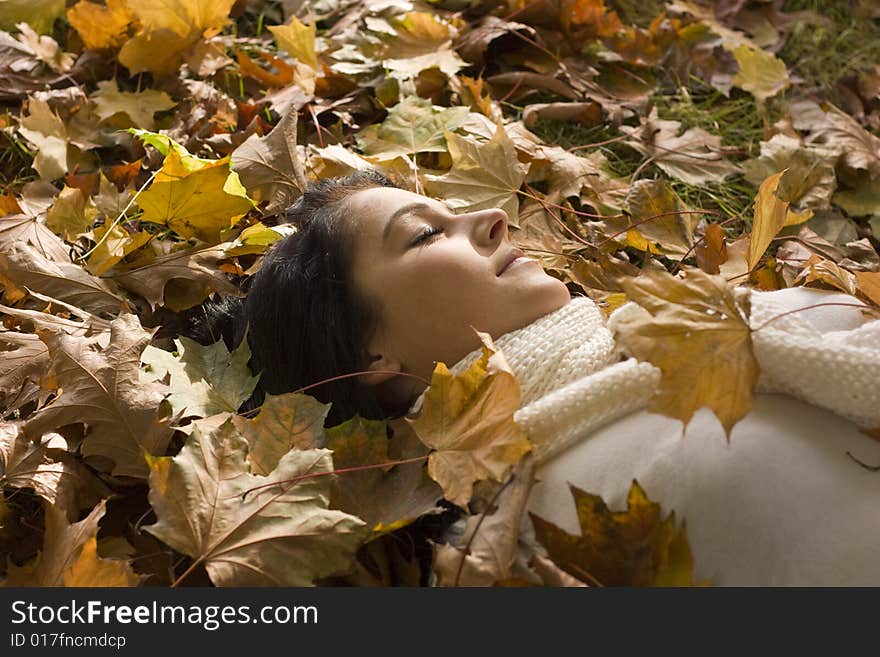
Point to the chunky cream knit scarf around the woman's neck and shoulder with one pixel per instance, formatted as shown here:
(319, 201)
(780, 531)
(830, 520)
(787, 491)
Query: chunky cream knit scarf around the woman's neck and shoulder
(572, 379)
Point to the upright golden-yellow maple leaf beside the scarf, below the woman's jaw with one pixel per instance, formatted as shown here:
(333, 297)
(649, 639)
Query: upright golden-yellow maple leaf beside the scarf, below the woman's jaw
(468, 421)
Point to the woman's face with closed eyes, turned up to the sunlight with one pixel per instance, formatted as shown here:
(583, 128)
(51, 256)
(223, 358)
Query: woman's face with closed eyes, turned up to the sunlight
(435, 288)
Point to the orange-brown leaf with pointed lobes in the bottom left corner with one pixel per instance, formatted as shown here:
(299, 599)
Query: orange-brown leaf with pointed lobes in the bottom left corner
(69, 556)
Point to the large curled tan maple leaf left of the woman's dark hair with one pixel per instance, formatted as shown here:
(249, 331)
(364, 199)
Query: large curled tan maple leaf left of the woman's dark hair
(100, 387)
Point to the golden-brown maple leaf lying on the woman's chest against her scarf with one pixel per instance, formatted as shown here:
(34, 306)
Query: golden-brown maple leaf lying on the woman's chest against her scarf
(698, 335)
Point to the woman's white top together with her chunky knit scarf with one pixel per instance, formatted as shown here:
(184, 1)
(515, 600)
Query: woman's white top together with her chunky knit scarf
(781, 503)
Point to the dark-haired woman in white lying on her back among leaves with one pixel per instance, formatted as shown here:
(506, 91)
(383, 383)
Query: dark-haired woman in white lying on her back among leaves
(381, 280)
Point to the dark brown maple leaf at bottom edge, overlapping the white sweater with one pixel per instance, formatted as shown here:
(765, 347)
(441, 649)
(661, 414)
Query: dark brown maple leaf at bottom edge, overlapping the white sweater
(635, 547)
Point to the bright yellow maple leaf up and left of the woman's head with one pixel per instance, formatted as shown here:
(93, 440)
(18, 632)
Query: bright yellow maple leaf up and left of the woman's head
(197, 203)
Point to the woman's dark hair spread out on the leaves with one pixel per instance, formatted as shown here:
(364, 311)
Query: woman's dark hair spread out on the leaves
(306, 320)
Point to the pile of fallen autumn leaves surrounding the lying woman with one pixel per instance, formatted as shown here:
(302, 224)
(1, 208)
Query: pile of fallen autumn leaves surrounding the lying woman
(148, 198)
